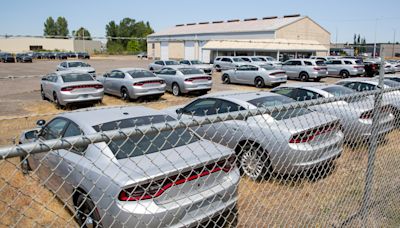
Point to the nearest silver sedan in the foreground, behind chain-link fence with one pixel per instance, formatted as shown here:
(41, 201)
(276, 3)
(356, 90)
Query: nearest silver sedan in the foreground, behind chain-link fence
(134, 183)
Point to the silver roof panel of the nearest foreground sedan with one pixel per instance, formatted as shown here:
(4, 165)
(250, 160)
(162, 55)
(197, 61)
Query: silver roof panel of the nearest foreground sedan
(95, 116)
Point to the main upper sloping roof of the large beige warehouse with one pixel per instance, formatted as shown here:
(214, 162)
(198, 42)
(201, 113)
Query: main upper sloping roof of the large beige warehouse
(247, 25)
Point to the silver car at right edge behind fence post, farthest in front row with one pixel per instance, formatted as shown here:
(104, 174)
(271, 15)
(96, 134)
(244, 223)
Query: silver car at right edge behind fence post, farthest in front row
(364, 84)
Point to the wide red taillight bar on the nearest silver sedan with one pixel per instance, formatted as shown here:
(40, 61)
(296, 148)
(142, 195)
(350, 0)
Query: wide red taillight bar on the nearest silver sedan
(157, 188)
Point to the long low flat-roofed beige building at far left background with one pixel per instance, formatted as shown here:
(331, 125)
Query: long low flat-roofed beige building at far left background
(24, 44)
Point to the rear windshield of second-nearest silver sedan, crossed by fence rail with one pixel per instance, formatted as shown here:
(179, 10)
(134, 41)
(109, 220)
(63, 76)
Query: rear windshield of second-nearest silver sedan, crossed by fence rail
(270, 101)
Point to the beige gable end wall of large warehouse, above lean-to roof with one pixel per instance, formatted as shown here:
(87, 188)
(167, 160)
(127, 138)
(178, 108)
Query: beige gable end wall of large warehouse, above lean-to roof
(305, 29)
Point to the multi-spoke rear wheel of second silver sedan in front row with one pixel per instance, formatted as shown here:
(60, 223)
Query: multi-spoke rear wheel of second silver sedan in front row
(253, 161)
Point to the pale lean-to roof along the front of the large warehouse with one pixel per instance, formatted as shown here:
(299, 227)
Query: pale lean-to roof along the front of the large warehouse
(265, 44)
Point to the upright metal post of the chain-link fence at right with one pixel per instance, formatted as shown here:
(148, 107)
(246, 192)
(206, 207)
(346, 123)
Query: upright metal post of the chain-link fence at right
(372, 146)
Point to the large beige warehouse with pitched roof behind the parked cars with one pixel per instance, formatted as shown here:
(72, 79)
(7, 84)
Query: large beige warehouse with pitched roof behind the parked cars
(281, 37)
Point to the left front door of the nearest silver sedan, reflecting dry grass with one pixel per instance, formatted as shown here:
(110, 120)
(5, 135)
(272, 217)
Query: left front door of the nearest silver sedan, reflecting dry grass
(46, 163)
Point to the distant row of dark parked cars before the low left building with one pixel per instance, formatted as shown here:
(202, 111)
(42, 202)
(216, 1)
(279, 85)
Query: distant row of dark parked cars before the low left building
(6, 57)
